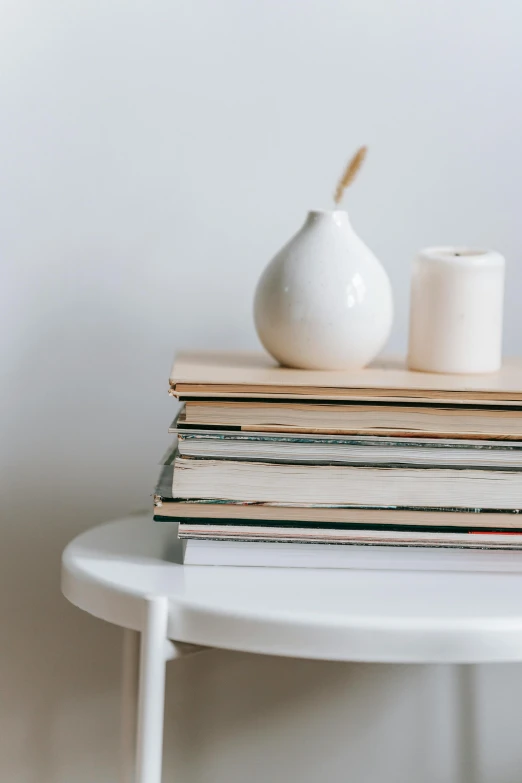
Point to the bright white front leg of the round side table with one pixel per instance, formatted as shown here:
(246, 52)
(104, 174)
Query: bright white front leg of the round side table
(151, 700)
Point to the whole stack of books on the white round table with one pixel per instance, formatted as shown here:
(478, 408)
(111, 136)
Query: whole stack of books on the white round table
(372, 468)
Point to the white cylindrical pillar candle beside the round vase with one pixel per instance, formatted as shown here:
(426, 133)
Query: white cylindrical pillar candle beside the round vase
(457, 298)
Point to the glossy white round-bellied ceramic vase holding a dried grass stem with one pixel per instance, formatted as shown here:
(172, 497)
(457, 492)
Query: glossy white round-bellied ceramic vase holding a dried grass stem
(324, 302)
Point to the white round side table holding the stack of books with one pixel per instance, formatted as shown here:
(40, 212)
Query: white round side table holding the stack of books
(129, 573)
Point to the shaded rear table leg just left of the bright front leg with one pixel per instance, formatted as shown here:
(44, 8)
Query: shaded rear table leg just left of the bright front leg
(129, 703)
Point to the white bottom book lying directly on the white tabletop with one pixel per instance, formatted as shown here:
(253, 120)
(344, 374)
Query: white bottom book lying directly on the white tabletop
(274, 555)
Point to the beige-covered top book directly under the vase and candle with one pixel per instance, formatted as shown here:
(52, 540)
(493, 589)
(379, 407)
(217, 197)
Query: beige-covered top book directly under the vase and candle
(250, 374)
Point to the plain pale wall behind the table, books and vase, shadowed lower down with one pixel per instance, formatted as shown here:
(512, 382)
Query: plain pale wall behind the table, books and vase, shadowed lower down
(153, 156)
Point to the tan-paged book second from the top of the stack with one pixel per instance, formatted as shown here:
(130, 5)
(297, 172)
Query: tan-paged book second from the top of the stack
(457, 421)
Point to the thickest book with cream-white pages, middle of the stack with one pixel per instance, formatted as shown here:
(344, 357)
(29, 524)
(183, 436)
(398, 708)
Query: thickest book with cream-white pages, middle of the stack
(346, 484)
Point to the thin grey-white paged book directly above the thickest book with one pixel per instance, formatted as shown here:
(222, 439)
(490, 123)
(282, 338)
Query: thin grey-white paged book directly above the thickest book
(363, 450)
